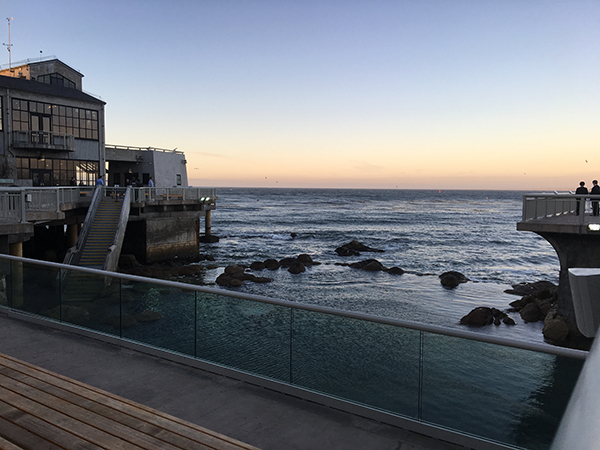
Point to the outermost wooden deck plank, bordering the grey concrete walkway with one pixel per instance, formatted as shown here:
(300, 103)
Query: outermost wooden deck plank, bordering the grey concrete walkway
(153, 417)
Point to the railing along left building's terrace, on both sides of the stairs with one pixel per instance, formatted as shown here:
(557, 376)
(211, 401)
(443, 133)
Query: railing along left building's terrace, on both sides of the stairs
(16, 202)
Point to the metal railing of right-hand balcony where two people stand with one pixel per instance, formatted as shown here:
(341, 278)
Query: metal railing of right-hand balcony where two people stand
(544, 206)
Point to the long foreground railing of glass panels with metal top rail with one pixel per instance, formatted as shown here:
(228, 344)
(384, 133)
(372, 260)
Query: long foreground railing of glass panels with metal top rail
(481, 391)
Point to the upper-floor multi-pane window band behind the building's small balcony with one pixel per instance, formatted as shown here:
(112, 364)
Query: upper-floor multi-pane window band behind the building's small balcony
(29, 115)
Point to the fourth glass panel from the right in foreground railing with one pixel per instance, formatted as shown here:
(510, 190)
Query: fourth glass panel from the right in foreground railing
(158, 315)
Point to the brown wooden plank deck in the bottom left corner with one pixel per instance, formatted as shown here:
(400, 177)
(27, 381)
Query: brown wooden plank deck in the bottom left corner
(41, 410)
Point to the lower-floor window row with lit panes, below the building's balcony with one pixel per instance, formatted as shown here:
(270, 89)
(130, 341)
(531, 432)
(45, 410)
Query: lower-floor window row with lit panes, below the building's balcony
(58, 172)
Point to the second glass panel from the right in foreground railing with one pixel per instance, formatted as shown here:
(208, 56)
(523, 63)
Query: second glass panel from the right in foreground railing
(364, 362)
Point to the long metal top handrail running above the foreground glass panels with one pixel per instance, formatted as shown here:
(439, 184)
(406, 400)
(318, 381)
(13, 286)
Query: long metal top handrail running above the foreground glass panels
(543, 348)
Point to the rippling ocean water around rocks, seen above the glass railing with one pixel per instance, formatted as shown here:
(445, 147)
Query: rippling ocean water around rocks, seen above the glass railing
(424, 232)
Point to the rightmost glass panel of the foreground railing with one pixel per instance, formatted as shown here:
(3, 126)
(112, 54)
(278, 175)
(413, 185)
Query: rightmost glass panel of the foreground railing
(505, 394)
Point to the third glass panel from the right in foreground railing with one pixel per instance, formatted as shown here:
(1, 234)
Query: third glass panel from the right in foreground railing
(244, 335)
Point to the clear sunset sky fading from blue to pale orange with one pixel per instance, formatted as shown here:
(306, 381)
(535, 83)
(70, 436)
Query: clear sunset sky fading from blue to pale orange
(427, 94)
